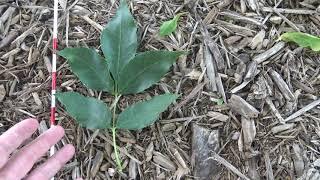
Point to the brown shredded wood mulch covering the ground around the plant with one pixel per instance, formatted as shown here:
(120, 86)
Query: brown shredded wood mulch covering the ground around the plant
(267, 127)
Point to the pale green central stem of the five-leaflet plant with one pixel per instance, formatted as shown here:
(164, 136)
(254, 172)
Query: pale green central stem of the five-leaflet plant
(114, 129)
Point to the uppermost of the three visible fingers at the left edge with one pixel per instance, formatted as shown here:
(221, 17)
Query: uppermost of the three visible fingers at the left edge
(13, 138)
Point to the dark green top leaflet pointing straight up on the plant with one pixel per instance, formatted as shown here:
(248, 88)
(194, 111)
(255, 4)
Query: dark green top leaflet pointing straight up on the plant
(119, 40)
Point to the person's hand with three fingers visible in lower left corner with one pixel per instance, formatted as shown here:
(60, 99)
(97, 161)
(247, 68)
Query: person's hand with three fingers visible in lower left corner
(18, 165)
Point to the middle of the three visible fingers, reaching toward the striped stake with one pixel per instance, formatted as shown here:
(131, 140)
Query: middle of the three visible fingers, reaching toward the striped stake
(22, 162)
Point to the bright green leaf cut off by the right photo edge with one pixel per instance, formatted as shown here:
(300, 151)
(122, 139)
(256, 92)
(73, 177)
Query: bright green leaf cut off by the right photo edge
(302, 39)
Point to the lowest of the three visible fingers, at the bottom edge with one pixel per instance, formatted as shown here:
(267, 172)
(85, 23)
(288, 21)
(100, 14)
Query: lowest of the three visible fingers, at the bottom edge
(53, 165)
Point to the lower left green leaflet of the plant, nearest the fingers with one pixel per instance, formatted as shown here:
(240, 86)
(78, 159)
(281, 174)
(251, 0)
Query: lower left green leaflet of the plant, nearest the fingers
(88, 112)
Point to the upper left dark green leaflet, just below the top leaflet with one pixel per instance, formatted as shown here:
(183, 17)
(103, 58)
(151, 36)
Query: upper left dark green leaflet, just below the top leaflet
(90, 68)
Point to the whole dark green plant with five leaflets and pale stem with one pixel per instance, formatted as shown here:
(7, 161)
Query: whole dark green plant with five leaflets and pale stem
(122, 71)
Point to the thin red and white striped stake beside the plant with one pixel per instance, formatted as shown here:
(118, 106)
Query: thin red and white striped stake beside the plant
(54, 67)
